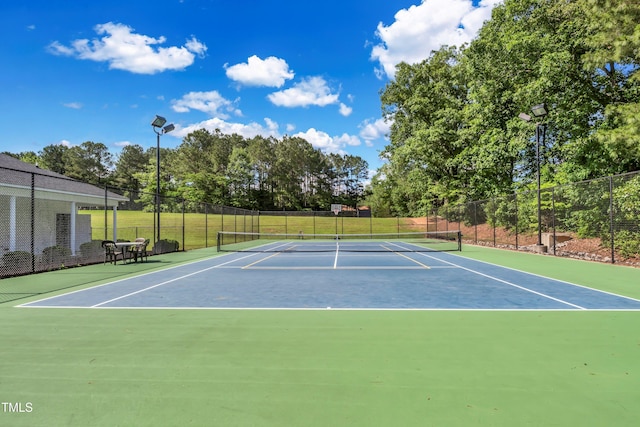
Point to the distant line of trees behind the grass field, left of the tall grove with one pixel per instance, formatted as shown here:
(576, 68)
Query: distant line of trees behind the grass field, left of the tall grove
(211, 167)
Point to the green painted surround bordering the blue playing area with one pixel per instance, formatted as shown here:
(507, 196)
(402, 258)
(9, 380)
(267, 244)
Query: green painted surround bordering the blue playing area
(168, 367)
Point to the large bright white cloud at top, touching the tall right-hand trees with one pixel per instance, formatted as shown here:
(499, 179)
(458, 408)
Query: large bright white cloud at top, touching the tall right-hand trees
(421, 29)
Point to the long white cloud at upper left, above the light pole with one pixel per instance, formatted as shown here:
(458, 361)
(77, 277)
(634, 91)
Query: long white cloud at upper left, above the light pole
(125, 50)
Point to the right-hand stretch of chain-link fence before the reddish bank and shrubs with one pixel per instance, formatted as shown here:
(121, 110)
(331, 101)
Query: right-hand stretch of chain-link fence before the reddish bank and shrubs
(597, 220)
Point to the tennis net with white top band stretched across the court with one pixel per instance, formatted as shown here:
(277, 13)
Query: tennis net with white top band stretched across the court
(432, 241)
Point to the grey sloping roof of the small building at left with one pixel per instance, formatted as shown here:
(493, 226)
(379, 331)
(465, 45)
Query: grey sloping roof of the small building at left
(51, 185)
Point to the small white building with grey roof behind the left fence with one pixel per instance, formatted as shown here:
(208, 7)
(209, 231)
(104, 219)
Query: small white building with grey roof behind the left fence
(39, 208)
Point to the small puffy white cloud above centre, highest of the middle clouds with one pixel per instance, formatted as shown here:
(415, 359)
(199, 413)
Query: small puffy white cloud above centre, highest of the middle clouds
(270, 72)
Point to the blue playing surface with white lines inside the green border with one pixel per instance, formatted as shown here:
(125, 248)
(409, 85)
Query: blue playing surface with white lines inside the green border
(341, 280)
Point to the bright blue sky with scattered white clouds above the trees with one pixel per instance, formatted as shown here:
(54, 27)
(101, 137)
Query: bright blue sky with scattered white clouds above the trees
(76, 71)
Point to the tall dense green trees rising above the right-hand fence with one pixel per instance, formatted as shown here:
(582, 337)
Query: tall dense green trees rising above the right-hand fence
(456, 135)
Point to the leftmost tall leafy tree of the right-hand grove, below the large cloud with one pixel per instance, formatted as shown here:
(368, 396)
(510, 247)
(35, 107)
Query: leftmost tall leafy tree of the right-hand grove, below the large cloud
(425, 104)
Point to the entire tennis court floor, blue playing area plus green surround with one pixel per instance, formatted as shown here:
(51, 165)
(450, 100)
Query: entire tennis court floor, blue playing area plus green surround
(416, 335)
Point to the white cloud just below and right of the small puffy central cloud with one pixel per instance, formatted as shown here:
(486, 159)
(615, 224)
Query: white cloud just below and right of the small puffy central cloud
(310, 91)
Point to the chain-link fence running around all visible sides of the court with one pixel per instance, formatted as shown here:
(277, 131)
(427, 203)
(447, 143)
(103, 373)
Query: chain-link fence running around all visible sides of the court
(49, 230)
